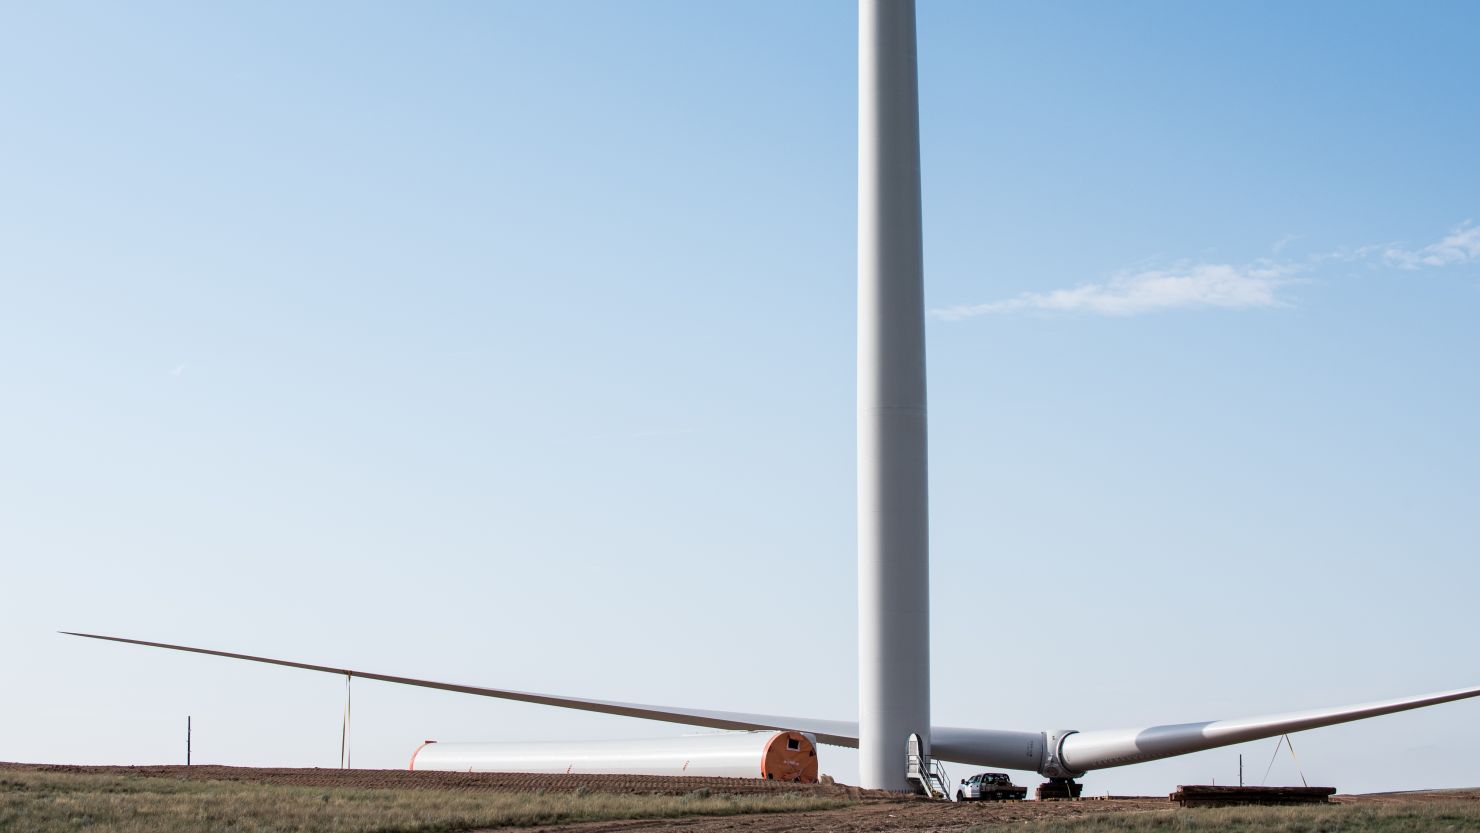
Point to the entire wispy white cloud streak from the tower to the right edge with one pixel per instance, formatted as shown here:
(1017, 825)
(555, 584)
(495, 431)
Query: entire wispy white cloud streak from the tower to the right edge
(1219, 286)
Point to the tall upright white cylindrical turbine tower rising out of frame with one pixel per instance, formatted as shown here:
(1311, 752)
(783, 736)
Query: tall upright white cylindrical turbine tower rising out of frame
(893, 502)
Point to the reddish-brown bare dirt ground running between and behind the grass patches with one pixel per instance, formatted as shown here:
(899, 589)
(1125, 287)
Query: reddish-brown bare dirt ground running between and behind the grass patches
(877, 812)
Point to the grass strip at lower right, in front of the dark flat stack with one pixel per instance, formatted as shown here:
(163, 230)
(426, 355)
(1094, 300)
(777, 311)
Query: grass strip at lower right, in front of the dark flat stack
(1399, 817)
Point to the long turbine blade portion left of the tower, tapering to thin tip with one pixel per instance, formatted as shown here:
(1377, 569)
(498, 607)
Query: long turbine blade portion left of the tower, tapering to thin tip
(837, 733)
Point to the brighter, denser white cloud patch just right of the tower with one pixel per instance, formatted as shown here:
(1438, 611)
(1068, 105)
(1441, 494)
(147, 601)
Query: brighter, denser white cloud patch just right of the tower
(1188, 286)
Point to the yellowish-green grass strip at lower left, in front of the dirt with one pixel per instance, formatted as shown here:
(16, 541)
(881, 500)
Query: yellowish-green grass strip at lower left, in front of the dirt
(53, 803)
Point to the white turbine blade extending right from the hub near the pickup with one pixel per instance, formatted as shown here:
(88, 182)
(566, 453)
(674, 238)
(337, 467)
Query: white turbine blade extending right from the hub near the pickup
(1118, 748)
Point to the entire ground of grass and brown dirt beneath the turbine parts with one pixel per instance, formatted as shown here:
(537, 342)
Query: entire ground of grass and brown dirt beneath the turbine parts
(246, 801)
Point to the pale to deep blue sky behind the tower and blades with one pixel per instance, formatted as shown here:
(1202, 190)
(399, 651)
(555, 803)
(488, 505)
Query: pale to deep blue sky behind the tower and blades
(513, 345)
